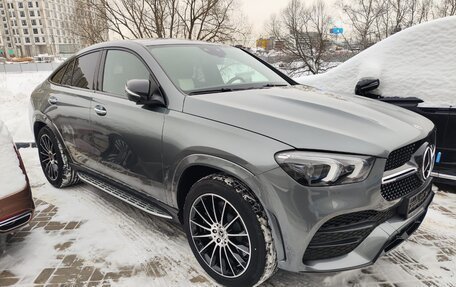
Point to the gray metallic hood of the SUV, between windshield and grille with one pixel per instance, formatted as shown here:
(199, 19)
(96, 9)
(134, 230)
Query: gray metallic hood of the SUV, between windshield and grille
(306, 118)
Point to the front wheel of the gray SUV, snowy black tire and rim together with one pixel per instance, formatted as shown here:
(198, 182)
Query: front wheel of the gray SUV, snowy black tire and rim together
(236, 198)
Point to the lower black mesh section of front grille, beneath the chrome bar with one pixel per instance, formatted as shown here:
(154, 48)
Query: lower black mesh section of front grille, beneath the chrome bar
(399, 188)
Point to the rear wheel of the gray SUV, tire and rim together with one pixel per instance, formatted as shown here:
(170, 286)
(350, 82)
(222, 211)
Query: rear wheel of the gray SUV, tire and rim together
(55, 167)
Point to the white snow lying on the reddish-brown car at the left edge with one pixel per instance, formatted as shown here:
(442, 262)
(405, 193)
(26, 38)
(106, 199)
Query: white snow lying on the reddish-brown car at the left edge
(12, 179)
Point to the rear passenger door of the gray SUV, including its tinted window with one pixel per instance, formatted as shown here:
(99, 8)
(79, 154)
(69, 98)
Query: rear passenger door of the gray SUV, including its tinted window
(70, 101)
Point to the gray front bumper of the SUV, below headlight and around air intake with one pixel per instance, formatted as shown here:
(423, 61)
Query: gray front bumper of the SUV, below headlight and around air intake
(297, 213)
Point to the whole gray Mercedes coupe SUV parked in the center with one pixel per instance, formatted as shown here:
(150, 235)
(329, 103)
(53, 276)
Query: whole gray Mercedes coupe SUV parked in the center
(262, 173)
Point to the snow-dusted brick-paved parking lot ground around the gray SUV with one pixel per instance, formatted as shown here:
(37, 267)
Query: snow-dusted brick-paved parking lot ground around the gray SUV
(82, 237)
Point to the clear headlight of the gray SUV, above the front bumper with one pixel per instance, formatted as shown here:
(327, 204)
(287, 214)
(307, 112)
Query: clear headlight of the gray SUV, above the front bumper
(323, 169)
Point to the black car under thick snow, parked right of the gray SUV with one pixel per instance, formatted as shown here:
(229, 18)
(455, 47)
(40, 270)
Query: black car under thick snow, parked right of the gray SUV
(414, 69)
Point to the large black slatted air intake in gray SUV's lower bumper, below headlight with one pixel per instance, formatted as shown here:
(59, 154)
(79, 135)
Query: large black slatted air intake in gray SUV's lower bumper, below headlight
(342, 234)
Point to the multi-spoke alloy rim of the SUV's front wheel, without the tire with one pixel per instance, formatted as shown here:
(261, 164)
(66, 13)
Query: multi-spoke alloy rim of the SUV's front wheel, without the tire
(220, 235)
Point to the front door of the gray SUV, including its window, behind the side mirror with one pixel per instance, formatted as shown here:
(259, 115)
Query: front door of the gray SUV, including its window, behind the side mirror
(127, 138)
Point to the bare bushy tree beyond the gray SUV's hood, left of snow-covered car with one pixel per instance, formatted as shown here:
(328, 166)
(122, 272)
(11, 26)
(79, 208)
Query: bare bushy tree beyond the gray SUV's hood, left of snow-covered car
(304, 30)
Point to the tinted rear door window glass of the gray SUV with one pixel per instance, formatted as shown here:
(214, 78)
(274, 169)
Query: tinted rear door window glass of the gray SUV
(84, 70)
